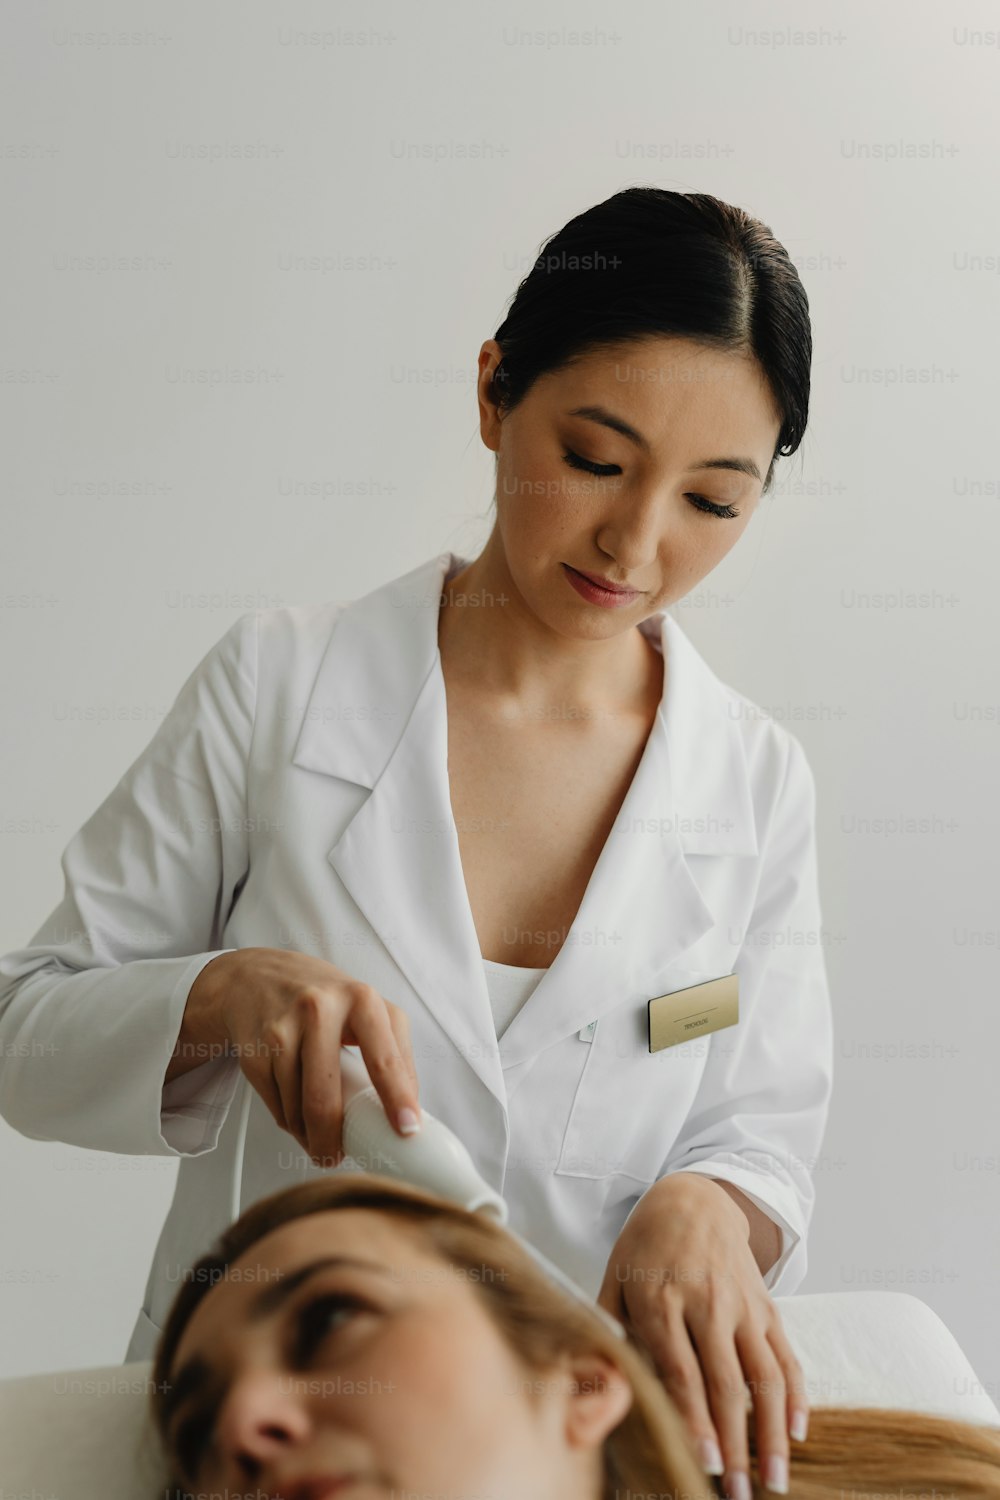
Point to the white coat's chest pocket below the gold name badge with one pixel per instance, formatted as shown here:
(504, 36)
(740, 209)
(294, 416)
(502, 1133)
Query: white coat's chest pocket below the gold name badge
(630, 1103)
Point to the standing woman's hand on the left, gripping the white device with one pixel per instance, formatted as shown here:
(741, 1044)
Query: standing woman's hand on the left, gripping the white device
(287, 1016)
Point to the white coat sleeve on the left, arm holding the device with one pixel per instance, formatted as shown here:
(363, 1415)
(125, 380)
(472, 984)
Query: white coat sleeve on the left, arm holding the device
(92, 1007)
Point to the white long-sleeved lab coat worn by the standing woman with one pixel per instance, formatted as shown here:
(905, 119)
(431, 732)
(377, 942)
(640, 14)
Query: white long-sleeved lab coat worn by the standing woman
(298, 797)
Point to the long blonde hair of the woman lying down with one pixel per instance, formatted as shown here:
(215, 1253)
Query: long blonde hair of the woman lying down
(851, 1454)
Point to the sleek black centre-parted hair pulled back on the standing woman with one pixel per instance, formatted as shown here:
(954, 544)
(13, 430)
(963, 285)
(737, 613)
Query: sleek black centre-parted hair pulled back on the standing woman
(650, 263)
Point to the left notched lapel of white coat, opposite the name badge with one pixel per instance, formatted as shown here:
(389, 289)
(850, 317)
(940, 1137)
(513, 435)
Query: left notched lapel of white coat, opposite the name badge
(379, 716)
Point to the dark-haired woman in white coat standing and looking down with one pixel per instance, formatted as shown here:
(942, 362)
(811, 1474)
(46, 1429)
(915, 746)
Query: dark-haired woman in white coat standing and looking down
(487, 824)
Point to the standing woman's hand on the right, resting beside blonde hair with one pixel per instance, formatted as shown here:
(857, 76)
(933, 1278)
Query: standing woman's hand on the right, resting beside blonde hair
(684, 1282)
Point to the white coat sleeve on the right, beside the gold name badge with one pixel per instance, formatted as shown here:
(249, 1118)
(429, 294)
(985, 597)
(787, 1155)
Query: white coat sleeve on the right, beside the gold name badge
(762, 1106)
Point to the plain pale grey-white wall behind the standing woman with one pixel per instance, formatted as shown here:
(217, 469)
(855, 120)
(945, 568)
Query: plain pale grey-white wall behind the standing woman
(143, 514)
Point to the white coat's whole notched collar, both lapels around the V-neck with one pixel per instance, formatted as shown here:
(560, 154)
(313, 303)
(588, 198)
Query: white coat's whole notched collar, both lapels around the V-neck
(379, 718)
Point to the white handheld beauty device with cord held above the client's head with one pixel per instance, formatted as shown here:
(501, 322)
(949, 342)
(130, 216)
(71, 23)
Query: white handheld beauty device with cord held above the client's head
(434, 1159)
